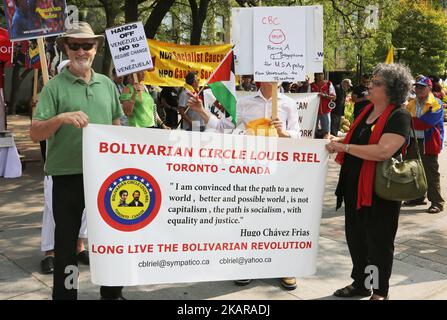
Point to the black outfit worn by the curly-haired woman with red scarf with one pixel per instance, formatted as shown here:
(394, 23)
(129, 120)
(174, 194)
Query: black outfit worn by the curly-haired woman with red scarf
(370, 231)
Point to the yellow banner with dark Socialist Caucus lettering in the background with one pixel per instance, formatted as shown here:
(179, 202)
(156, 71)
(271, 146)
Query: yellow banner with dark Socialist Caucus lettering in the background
(172, 62)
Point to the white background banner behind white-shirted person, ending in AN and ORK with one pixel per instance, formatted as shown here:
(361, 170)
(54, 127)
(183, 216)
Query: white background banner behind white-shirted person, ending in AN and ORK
(307, 107)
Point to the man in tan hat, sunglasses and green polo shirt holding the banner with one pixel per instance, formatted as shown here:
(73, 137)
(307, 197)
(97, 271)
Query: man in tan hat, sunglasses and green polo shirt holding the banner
(71, 100)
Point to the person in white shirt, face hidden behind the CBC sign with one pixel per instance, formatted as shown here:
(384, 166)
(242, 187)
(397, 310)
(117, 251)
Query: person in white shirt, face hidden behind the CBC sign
(251, 110)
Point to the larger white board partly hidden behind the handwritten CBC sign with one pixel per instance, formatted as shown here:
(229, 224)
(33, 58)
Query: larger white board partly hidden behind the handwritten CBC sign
(242, 33)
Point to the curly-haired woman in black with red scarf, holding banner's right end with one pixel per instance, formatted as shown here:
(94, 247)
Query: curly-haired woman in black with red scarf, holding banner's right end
(379, 133)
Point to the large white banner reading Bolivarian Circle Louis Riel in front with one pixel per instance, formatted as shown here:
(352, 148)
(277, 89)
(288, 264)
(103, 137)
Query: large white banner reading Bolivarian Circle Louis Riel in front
(170, 207)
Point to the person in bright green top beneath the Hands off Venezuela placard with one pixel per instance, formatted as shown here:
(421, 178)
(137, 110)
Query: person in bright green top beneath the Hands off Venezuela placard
(138, 104)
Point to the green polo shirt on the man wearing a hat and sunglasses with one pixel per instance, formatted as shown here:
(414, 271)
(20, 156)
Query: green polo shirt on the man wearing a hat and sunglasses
(98, 99)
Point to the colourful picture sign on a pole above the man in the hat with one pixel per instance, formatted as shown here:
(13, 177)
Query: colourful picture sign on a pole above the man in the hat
(34, 19)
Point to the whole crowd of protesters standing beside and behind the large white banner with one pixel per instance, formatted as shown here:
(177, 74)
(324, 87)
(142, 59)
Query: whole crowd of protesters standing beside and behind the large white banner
(386, 105)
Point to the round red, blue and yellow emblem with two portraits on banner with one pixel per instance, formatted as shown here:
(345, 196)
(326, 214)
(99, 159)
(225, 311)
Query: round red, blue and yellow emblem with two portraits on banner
(129, 200)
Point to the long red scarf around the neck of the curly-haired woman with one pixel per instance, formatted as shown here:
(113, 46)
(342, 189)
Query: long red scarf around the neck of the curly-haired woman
(367, 173)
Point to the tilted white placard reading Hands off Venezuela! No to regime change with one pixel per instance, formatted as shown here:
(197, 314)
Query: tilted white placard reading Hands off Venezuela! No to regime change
(129, 48)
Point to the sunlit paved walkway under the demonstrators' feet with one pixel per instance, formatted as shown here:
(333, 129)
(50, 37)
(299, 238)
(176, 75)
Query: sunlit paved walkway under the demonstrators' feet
(420, 268)
